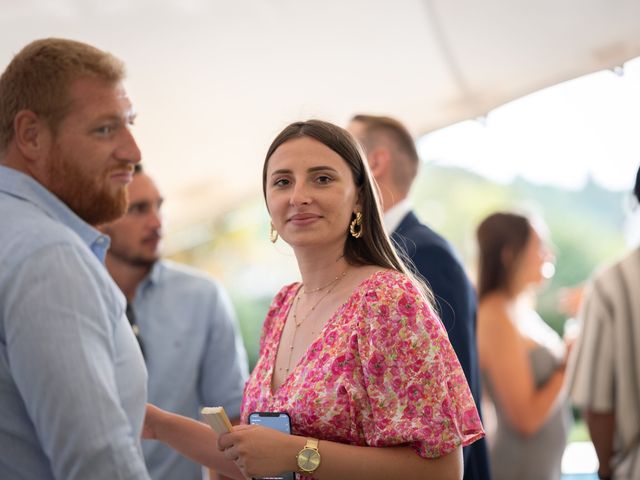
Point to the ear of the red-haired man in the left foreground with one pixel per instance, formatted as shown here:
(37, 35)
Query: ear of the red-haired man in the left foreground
(32, 136)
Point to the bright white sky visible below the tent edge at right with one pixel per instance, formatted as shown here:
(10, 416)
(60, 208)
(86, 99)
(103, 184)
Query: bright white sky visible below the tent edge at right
(557, 136)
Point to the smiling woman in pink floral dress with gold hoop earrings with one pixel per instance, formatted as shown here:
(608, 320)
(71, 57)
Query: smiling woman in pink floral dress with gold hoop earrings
(354, 353)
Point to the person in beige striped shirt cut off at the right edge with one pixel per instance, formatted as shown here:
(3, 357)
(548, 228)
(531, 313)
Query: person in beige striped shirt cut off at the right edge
(604, 369)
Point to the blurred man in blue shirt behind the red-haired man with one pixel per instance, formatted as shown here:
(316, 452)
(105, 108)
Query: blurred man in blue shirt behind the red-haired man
(184, 321)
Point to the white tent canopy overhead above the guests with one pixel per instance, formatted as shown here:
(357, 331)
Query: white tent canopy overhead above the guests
(213, 82)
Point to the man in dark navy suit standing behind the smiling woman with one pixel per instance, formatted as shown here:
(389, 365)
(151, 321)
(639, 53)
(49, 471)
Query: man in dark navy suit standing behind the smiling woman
(393, 159)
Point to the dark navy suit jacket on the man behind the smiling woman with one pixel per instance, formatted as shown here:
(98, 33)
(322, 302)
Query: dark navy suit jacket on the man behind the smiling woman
(435, 261)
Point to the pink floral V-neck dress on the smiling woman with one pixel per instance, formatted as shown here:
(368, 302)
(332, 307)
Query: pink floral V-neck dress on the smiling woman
(381, 373)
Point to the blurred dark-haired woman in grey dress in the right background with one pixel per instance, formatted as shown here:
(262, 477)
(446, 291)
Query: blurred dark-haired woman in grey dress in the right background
(522, 359)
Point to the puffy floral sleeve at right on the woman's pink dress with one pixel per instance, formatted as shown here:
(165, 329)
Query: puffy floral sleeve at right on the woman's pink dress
(416, 388)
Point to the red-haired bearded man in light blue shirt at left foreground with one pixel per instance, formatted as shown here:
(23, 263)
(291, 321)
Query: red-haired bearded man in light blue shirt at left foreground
(72, 379)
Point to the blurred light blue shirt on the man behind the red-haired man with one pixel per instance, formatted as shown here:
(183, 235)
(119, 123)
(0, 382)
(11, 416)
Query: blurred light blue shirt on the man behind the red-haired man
(194, 353)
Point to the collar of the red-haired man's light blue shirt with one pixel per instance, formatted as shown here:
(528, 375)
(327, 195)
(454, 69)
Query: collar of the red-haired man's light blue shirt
(22, 186)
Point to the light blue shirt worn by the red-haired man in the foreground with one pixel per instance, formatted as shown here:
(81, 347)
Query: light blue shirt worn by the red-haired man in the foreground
(72, 379)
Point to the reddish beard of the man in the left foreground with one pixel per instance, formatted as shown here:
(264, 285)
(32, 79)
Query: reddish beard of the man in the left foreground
(88, 197)
